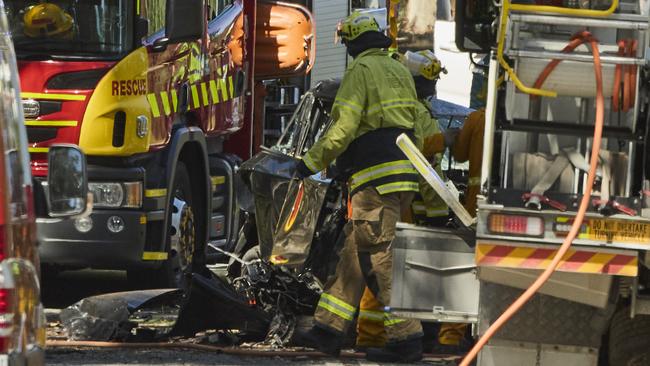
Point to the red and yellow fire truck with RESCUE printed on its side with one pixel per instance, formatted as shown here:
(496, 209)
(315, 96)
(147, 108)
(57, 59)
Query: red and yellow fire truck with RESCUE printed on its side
(159, 96)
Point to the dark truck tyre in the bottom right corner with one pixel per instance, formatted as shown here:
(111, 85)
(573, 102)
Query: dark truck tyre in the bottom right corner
(629, 339)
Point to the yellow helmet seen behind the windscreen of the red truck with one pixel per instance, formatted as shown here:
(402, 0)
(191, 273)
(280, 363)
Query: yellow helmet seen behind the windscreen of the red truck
(47, 20)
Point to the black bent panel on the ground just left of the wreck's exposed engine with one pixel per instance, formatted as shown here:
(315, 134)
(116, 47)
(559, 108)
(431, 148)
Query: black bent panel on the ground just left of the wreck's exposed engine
(213, 304)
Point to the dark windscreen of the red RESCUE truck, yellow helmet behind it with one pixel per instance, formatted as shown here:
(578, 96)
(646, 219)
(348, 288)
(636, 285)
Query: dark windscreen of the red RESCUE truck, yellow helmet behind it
(99, 28)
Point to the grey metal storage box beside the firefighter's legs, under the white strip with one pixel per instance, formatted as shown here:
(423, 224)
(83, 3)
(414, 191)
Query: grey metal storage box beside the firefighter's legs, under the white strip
(434, 275)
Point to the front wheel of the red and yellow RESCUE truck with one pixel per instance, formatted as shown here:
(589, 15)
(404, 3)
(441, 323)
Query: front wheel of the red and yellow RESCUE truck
(181, 238)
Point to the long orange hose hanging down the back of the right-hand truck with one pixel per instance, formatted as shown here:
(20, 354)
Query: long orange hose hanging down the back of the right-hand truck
(584, 204)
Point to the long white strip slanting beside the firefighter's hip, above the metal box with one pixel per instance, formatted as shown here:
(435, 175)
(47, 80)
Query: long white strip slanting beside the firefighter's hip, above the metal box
(448, 193)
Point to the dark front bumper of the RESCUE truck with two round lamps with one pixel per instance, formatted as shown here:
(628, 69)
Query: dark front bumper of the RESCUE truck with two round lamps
(61, 243)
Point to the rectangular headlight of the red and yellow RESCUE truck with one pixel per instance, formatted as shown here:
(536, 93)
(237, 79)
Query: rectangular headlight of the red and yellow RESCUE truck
(115, 195)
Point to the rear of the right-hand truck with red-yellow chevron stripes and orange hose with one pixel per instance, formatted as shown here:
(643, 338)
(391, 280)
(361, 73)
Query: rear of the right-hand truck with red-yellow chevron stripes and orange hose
(551, 177)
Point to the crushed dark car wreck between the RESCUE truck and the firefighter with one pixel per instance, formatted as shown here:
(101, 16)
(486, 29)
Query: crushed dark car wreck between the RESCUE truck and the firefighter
(289, 242)
